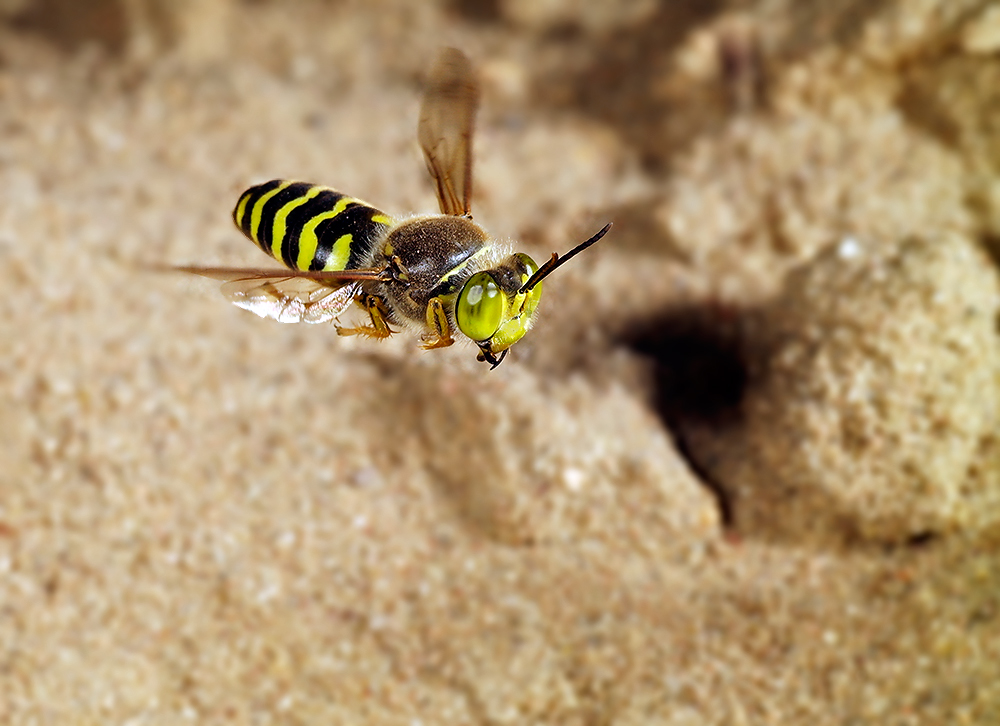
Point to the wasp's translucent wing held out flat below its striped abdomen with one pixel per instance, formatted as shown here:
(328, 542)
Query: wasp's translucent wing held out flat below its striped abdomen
(289, 296)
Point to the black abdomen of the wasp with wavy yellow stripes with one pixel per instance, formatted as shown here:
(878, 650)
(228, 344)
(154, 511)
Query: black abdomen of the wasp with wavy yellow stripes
(310, 227)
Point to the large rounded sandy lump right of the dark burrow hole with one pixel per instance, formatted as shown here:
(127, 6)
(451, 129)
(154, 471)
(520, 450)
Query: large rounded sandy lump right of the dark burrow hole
(873, 386)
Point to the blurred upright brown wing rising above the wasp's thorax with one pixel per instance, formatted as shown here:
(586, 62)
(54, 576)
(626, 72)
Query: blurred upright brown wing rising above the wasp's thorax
(447, 118)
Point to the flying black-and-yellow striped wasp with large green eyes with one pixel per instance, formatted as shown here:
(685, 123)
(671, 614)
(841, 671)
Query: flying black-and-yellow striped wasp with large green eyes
(439, 273)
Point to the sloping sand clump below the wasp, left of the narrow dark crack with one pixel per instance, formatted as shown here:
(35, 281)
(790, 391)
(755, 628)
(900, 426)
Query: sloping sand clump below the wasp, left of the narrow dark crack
(537, 461)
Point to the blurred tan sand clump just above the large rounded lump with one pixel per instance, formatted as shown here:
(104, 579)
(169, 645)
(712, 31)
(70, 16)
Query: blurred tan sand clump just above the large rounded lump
(778, 186)
